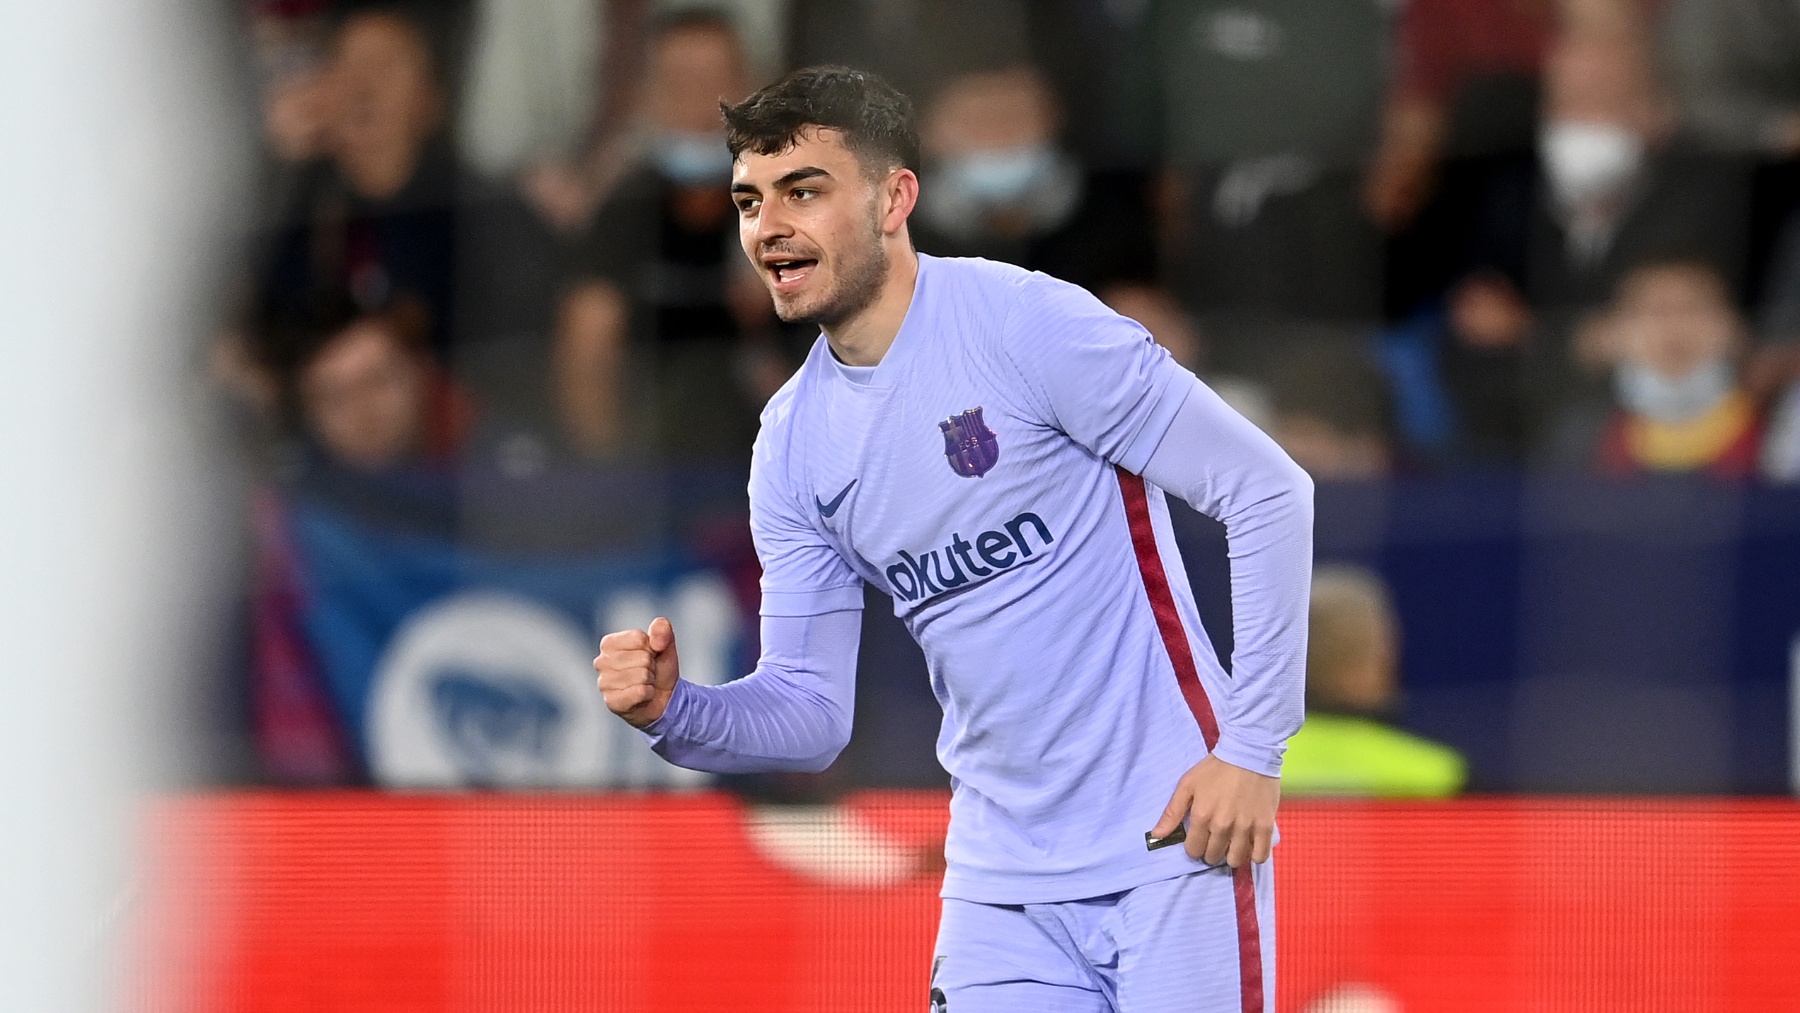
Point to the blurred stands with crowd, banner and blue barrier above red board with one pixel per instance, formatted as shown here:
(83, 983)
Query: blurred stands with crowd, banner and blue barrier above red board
(1518, 282)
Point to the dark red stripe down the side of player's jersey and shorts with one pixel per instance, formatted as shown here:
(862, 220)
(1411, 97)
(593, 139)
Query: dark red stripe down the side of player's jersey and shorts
(1189, 677)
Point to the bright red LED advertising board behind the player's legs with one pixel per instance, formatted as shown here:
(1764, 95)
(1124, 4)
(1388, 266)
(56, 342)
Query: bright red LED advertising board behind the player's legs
(663, 904)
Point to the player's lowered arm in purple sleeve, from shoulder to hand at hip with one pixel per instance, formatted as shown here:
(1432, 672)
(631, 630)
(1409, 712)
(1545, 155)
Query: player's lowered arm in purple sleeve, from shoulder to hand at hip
(1108, 386)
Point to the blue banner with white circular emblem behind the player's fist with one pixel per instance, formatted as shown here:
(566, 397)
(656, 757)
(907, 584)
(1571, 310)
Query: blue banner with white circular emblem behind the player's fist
(451, 667)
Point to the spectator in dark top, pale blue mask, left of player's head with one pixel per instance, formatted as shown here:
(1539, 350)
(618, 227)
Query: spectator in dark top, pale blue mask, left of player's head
(667, 343)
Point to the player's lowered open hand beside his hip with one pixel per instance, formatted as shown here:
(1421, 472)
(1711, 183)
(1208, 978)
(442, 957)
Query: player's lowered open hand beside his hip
(1230, 812)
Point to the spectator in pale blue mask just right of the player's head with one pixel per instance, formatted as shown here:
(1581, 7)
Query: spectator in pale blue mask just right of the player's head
(1000, 184)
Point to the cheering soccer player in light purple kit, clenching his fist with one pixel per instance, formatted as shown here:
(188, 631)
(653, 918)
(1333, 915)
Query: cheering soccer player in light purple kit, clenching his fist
(989, 447)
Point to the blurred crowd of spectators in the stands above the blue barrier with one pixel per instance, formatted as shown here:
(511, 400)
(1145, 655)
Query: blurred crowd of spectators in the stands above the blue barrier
(1405, 237)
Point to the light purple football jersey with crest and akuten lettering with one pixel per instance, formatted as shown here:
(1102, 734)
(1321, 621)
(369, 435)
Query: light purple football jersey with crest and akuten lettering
(987, 478)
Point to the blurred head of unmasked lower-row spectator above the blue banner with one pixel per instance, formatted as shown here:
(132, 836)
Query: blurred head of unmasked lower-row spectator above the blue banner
(370, 395)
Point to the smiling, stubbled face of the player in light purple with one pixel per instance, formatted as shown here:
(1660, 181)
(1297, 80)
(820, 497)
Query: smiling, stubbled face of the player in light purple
(813, 224)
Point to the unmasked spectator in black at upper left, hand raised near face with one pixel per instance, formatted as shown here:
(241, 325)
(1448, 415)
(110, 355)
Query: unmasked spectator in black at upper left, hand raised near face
(386, 213)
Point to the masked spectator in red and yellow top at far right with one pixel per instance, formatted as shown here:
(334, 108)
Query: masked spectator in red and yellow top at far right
(1677, 339)
